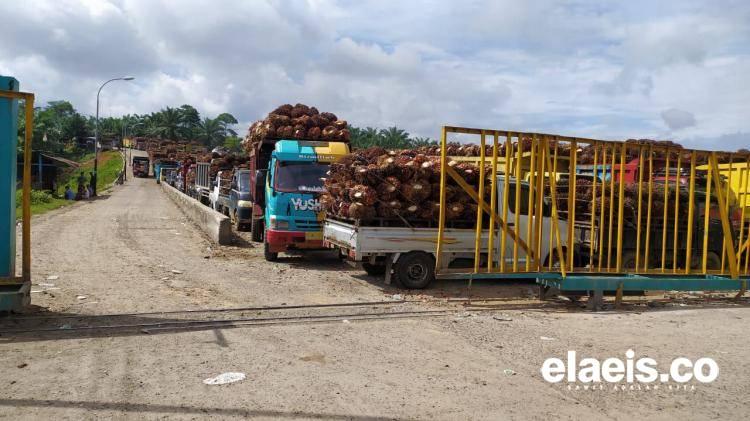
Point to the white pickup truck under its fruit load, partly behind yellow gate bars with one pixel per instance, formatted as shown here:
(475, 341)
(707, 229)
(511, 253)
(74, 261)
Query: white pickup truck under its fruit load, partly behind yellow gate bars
(408, 254)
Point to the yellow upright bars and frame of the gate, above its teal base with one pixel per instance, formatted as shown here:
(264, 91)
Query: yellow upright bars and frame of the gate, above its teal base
(551, 203)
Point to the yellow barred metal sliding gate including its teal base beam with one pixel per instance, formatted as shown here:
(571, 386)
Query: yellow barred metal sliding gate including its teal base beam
(688, 261)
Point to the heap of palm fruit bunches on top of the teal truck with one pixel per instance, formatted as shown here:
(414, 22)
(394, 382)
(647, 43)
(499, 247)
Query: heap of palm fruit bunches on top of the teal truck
(297, 122)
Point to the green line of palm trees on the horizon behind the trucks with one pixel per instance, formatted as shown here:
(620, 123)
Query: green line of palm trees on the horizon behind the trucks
(60, 128)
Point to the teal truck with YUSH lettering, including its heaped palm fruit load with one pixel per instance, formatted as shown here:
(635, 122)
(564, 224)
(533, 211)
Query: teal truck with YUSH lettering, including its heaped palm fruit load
(290, 153)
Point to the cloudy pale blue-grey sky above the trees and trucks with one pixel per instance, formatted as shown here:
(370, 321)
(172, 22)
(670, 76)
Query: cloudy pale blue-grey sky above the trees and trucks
(668, 69)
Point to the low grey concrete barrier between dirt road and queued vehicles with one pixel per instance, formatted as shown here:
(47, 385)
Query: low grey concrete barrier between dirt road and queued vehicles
(217, 226)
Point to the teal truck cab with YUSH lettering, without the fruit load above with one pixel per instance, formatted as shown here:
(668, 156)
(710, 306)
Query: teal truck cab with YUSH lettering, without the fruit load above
(288, 182)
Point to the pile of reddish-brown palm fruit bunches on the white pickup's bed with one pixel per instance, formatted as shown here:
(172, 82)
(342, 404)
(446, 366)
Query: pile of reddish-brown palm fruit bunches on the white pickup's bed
(403, 185)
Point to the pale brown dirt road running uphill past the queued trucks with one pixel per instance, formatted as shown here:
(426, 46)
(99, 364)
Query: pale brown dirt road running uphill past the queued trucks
(132, 251)
